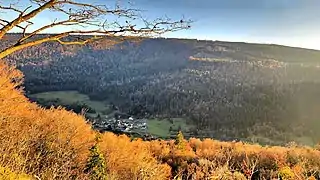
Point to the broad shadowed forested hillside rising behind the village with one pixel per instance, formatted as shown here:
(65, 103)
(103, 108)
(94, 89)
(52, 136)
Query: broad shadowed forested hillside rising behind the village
(261, 93)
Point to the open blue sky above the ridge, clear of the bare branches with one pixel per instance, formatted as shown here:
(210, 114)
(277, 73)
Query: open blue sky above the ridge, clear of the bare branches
(286, 22)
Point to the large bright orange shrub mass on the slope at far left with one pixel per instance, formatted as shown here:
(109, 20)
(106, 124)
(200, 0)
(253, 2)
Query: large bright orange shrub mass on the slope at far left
(48, 143)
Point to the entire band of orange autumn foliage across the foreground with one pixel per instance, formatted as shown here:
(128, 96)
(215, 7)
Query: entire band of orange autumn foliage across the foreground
(58, 144)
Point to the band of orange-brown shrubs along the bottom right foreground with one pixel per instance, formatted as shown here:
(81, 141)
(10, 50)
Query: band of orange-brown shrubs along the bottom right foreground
(253, 161)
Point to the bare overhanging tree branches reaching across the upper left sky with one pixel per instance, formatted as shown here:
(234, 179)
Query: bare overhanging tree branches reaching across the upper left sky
(77, 18)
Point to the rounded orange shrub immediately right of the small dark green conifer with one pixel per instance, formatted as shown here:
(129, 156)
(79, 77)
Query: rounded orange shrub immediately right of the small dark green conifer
(131, 159)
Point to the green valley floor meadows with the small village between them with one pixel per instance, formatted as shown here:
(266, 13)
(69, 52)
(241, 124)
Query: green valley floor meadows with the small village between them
(104, 116)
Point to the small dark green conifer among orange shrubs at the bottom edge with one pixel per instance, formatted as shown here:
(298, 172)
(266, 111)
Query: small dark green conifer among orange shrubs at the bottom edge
(96, 166)
